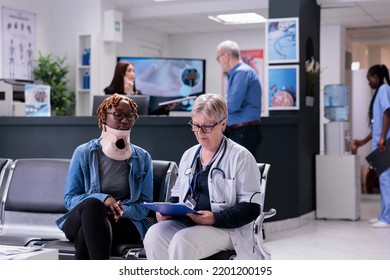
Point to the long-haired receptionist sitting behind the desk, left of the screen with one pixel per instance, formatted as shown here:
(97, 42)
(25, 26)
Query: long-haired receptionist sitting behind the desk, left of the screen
(123, 81)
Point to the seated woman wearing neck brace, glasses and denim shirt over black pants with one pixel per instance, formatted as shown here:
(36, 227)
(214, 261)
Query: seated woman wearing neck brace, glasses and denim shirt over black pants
(107, 181)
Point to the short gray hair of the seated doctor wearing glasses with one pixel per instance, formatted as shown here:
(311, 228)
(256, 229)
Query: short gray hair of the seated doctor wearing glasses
(210, 105)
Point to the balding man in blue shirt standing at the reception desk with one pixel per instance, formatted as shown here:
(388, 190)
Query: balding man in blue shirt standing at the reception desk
(243, 97)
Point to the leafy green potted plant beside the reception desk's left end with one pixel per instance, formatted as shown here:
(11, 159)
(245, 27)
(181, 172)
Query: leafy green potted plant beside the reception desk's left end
(52, 71)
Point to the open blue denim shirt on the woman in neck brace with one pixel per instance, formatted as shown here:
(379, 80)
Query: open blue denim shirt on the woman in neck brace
(83, 182)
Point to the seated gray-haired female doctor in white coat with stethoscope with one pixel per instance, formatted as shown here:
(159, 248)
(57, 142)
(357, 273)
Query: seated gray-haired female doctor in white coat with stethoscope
(220, 179)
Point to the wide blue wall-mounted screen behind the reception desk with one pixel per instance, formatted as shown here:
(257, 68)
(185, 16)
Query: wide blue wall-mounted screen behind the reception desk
(169, 78)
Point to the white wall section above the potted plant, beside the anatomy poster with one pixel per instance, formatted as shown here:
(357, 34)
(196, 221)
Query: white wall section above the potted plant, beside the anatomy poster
(57, 25)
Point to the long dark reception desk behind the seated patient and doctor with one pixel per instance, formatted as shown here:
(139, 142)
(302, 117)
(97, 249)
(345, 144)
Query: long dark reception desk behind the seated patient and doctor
(291, 180)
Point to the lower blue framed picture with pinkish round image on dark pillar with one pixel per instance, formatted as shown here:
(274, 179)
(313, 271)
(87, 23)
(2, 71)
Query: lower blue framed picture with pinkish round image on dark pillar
(283, 87)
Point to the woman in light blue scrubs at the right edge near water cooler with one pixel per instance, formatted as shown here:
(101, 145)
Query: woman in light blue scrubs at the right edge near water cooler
(379, 115)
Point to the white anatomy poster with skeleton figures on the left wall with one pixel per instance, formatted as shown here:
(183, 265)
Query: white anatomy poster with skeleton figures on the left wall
(18, 44)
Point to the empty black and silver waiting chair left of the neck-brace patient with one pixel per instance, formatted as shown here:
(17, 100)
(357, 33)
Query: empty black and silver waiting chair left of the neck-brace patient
(33, 199)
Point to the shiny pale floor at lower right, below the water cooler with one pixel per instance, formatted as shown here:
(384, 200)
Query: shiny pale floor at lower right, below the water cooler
(334, 239)
